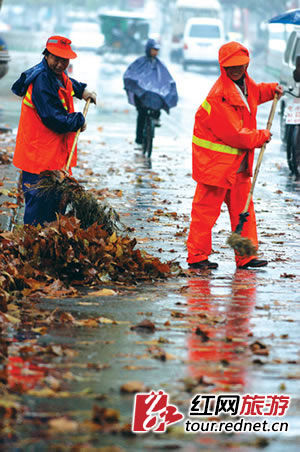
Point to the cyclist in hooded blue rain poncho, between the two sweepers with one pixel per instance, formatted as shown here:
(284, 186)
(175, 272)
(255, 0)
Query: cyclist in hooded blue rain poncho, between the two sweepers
(149, 84)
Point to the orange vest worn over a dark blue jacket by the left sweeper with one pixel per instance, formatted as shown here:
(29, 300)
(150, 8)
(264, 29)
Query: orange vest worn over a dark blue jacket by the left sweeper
(39, 148)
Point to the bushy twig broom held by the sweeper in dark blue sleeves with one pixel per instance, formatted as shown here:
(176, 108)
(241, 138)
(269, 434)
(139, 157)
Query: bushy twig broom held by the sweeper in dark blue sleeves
(83, 205)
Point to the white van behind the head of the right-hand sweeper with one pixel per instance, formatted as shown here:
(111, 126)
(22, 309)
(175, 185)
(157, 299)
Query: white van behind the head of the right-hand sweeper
(201, 41)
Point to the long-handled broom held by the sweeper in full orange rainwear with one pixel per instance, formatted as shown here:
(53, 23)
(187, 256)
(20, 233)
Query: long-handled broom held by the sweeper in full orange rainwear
(243, 245)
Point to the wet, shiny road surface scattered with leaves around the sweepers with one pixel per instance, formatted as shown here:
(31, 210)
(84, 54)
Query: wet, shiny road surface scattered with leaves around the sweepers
(235, 308)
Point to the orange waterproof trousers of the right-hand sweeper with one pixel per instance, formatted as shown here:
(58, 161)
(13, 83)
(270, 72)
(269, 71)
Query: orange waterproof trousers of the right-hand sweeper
(206, 209)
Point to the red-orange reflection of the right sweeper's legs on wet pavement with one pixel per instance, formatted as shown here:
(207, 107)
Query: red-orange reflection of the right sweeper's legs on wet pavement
(219, 344)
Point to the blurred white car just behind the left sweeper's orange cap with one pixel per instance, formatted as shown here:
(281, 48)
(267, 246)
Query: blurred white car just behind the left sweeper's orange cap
(86, 36)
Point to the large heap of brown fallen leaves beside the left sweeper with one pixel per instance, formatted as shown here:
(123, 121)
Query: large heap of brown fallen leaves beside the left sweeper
(63, 250)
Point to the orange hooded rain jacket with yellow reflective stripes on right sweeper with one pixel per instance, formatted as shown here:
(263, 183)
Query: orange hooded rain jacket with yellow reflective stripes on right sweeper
(225, 129)
